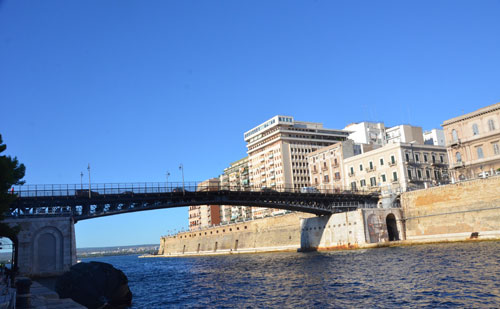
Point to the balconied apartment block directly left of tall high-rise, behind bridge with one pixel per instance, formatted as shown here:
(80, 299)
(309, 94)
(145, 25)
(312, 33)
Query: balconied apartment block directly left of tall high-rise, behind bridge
(235, 177)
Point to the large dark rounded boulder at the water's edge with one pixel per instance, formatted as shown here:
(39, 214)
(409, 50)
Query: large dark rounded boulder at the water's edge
(95, 285)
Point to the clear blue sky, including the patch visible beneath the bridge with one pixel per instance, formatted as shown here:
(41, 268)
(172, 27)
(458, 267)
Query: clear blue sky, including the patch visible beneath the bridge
(136, 87)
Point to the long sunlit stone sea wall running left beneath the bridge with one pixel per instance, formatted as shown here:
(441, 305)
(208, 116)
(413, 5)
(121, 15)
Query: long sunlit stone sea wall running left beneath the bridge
(280, 233)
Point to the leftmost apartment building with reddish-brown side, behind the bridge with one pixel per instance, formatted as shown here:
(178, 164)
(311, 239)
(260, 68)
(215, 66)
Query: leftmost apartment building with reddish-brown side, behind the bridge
(201, 216)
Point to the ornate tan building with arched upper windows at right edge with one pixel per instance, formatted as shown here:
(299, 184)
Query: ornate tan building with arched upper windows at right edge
(473, 143)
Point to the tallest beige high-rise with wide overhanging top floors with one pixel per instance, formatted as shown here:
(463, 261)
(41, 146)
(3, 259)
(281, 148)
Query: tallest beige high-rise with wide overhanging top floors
(277, 151)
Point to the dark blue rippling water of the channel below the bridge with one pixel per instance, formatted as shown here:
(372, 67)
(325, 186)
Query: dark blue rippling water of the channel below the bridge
(444, 275)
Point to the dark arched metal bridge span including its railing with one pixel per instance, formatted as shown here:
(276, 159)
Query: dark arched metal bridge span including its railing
(87, 204)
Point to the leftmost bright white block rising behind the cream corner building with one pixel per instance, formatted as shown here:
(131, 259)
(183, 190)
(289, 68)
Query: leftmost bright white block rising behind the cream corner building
(367, 133)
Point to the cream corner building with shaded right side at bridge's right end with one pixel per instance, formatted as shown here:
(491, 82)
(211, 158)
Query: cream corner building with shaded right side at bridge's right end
(397, 167)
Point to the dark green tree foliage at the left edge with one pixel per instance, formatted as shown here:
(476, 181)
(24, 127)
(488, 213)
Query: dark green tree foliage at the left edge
(11, 173)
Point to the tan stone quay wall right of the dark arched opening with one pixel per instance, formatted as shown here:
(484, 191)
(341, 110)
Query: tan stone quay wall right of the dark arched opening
(458, 211)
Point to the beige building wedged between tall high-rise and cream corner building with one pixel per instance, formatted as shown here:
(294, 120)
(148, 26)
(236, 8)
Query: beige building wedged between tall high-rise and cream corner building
(326, 165)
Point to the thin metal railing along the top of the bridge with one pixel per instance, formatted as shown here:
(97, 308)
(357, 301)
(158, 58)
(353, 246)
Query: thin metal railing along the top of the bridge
(84, 190)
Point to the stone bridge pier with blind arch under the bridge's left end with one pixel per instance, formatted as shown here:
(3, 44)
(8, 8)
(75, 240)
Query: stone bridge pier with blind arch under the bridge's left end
(47, 246)
